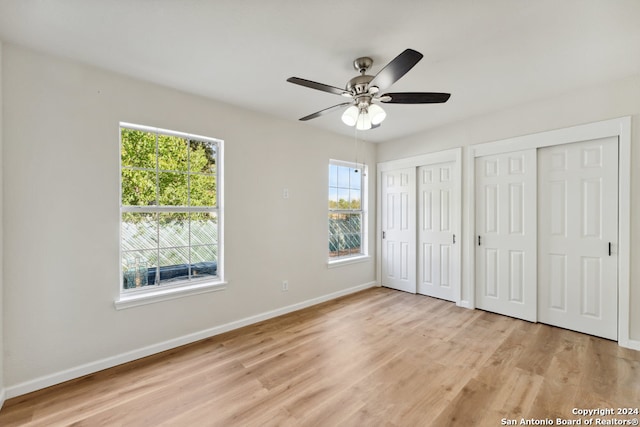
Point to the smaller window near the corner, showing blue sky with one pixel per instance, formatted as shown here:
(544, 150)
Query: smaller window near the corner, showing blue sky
(347, 216)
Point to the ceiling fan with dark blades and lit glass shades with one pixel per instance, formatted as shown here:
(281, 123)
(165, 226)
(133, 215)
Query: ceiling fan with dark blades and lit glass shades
(364, 91)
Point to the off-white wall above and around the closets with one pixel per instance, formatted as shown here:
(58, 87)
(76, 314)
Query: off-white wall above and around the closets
(590, 104)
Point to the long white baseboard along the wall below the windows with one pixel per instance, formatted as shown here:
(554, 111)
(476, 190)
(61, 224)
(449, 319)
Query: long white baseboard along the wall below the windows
(109, 362)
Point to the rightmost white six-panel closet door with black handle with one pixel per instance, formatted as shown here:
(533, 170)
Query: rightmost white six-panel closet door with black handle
(578, 229)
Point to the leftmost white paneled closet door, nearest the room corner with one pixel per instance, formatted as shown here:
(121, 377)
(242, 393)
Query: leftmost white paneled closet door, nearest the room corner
(399, 229)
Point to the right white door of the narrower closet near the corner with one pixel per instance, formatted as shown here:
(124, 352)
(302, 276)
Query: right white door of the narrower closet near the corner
(437, 258)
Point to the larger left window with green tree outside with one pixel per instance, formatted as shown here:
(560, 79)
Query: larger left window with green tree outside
(170, 218)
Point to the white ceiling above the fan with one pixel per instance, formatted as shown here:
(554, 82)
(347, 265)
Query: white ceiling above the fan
(490, 54)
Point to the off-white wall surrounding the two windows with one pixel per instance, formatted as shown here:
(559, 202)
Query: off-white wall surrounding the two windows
(62, 216)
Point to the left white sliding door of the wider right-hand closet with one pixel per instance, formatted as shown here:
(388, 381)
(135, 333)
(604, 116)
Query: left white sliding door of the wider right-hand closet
(506, 234)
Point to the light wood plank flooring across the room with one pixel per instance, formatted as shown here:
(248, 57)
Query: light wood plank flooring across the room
(375, 358)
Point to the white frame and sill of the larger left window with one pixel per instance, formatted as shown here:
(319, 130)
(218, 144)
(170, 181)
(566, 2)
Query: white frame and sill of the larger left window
(151, 294)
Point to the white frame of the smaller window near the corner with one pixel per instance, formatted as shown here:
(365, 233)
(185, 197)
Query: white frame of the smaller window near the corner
(364, 234)
